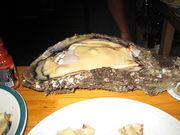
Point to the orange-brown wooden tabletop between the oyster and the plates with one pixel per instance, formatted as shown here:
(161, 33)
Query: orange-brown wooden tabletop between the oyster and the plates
(40, 106)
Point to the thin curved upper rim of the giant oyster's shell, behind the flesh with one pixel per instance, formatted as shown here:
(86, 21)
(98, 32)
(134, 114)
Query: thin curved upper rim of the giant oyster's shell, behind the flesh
(29, 74)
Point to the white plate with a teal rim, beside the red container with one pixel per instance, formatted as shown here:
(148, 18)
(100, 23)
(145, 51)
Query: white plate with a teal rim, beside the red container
(12, 102)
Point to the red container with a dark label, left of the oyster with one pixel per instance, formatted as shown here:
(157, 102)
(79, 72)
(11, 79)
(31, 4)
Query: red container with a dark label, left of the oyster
(8, 74)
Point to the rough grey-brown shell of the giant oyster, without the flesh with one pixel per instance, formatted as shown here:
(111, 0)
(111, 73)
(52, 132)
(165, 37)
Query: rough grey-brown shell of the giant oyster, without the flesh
(162, 73)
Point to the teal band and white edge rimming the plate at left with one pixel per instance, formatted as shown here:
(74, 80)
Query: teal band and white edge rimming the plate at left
(22, 106)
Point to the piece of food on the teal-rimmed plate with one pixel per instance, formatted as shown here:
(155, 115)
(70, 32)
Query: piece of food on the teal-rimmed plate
(5, 123)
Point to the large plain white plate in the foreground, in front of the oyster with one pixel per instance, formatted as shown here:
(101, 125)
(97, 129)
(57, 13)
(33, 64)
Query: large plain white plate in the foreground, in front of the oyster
(107, 115)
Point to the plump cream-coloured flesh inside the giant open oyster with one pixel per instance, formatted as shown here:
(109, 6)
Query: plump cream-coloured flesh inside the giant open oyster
(89, 54)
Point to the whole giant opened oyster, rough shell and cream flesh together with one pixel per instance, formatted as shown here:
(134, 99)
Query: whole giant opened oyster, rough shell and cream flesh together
(95, 61)
